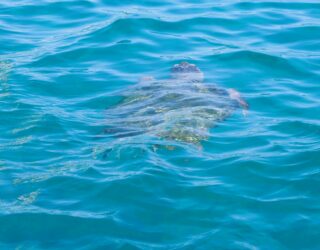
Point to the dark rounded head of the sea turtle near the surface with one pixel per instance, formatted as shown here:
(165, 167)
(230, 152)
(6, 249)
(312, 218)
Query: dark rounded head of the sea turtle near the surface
(186, 71)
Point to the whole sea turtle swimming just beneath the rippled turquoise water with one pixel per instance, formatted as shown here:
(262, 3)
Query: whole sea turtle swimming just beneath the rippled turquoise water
(181, 108)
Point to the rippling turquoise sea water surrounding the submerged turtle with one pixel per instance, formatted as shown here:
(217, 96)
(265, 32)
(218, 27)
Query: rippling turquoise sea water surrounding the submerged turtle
(253, 184)
